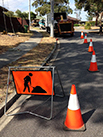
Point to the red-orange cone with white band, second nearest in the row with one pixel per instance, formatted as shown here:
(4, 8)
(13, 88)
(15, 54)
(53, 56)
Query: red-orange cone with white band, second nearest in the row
(93, 65)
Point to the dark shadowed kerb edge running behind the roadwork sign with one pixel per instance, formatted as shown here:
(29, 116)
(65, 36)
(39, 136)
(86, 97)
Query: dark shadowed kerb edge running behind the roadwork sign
(13, 97)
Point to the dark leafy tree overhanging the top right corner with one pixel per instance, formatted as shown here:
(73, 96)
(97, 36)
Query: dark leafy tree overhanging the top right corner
(93, 7)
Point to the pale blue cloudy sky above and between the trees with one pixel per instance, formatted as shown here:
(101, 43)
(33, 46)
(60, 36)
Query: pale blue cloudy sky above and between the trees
(23, 5)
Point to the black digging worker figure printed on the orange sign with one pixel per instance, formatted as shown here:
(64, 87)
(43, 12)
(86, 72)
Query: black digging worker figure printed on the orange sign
(27, 80)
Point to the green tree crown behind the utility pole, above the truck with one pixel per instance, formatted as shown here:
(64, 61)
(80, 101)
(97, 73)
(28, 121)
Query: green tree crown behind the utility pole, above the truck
(43, 6)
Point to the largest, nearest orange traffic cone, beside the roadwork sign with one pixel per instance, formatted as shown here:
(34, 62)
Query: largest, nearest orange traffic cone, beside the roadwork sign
(73, 119)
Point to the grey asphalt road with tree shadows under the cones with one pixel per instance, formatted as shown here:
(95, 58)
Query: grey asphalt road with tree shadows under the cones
(72, 63)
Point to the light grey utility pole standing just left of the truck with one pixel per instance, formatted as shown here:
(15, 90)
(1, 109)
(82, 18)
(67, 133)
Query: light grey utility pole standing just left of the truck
(52, 19)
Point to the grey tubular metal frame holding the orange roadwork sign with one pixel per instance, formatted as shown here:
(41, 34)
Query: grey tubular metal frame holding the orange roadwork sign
(51, 105)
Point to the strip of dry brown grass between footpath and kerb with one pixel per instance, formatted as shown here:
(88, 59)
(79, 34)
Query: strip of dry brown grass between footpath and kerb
(34, 57)
